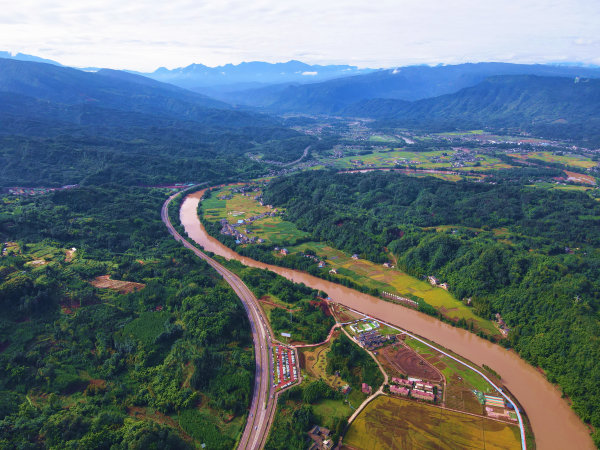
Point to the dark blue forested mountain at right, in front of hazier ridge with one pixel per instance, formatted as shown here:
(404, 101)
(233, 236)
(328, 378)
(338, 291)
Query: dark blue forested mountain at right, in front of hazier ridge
(551, 106)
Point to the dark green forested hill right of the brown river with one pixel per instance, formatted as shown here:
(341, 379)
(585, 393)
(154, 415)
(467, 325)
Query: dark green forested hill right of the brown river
(501, 245)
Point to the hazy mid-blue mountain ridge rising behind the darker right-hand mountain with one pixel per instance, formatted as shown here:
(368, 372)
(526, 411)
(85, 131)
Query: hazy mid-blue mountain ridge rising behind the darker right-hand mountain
(406, 83)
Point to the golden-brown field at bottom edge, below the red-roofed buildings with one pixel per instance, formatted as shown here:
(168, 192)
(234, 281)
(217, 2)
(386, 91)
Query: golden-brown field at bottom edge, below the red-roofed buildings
(395, 423)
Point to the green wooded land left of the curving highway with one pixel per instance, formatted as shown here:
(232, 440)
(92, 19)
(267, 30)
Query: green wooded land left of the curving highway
(169, 365)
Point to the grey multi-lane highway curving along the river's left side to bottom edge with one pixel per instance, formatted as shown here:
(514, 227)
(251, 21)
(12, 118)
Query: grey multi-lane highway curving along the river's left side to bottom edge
(262, 408)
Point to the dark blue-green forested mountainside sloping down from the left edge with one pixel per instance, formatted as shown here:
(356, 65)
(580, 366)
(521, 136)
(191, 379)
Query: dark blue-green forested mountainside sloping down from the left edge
(63, 126)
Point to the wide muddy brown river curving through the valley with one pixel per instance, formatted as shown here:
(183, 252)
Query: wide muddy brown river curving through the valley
(554, 424)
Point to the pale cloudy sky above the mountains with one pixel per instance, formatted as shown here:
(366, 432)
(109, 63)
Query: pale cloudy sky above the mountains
(145, 35)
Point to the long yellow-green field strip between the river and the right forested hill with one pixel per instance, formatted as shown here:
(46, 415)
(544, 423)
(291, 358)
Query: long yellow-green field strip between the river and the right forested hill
(376, 276)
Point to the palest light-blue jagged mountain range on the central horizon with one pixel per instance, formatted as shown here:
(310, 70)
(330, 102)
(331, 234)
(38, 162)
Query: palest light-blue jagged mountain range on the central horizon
(251, 74)
